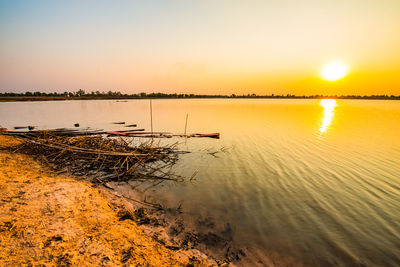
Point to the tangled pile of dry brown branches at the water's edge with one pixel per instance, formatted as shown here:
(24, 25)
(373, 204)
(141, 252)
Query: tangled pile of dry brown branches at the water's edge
(102, 159)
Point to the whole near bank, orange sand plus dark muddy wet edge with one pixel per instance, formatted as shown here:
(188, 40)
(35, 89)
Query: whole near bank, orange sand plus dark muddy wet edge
(73, 221)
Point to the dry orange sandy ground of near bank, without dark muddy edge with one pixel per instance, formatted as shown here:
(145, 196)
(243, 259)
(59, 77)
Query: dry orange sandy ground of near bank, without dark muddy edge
(47, 218)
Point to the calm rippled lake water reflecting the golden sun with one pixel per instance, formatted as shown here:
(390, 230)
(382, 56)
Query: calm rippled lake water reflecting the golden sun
(317, 182)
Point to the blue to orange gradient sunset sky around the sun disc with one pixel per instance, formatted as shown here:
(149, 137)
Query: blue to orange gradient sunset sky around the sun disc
(202, 47)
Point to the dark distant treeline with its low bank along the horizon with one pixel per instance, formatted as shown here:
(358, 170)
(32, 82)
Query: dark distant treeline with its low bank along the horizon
(81, 94)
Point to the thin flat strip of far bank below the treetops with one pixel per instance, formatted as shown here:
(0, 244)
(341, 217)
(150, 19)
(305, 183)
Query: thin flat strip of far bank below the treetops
(58, 98)
